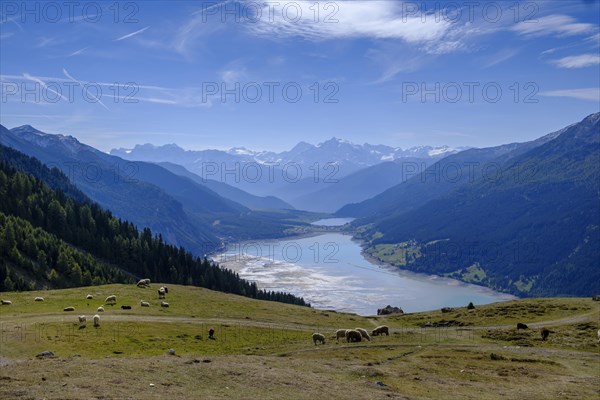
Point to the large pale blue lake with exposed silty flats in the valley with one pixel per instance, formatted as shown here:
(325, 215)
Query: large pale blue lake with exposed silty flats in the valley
(329, 272)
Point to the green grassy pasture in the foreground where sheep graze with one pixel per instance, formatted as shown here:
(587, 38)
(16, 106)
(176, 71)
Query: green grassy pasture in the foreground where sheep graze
(263, 349)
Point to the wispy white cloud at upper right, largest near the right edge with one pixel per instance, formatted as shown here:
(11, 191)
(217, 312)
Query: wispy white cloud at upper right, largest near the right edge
(556, 24)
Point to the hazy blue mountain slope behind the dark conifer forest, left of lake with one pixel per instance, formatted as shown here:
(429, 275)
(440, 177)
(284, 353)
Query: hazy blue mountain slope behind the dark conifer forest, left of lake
(183, 211)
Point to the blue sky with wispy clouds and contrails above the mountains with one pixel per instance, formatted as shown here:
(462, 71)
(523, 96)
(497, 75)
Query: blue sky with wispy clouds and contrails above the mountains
(397, 73)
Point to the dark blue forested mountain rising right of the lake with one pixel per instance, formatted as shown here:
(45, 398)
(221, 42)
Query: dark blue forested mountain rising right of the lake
(526, 219)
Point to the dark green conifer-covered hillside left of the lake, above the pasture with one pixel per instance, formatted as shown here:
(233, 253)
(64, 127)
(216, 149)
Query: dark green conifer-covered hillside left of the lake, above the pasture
(49, 239)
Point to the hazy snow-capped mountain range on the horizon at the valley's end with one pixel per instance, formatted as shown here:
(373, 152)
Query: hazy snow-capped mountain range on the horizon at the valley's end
(319, 178)
